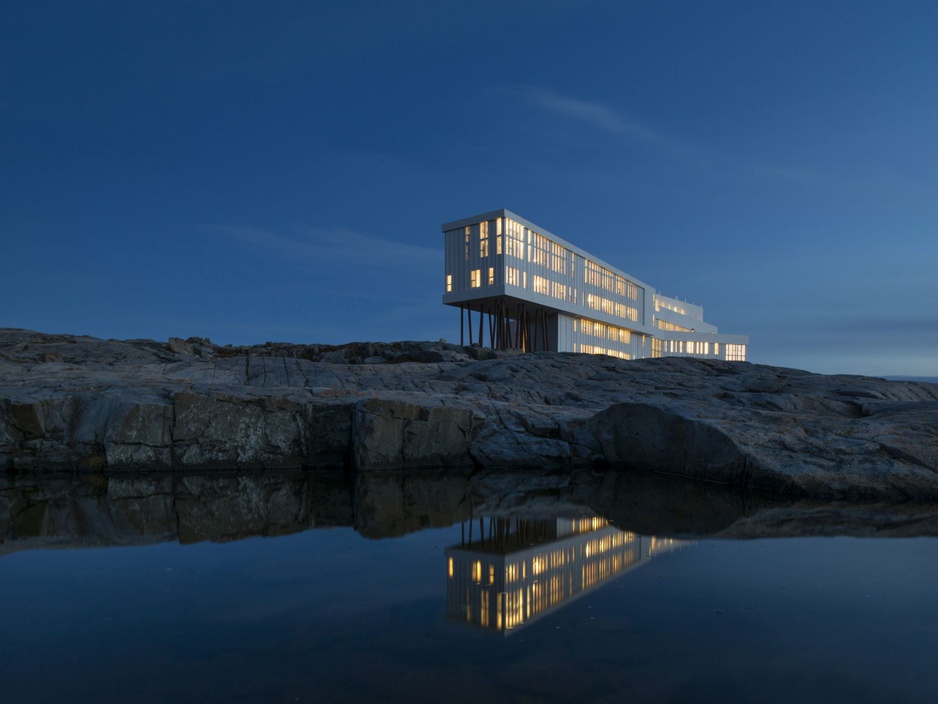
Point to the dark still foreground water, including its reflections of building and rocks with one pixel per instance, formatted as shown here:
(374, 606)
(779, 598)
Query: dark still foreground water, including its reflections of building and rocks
(519, 604)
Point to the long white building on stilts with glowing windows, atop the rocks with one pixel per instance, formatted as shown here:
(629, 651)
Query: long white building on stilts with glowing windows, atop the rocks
(522, 287)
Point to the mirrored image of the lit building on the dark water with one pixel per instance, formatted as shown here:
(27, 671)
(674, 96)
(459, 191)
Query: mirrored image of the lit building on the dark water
(519, 569)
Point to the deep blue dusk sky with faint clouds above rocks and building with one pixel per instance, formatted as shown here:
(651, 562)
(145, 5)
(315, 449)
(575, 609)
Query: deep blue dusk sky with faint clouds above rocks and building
(279, 171)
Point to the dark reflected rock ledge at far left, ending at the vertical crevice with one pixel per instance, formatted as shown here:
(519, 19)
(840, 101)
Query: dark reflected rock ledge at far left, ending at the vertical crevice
(128, 509)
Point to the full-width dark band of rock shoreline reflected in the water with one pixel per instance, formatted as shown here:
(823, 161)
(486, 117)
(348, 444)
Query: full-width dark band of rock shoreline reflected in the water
(124, 509)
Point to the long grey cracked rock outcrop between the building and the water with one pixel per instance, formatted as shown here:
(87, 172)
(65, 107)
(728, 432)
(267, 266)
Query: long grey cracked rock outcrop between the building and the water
(79, 402)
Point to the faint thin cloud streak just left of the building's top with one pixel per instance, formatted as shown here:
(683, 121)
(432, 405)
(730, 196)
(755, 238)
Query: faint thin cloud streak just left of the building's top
(332, 246)
